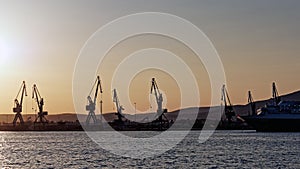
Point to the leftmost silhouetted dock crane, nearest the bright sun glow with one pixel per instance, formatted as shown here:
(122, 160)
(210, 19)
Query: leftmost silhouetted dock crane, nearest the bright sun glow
(18, 105)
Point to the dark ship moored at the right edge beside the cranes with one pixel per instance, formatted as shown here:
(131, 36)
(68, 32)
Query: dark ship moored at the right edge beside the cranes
(277, 116)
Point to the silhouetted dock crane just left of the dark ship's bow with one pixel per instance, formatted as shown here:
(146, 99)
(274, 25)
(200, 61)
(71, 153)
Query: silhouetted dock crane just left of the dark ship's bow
(229, 112)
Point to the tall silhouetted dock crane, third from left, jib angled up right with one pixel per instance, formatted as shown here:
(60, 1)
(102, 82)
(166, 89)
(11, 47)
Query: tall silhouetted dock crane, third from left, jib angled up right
(91, 106)
